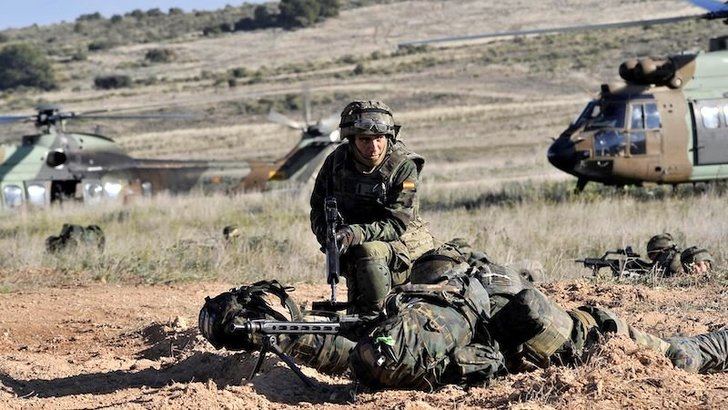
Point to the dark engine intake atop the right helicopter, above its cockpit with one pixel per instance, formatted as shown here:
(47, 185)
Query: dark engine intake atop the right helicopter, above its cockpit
(647, 71)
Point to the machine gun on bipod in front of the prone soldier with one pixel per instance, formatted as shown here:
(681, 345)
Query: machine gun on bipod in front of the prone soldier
(269, 330)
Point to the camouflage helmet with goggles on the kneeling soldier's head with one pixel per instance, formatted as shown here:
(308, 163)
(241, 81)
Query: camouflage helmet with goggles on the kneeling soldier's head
(368, 118)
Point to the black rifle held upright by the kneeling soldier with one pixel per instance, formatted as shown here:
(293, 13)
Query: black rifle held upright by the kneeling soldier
(333, 255)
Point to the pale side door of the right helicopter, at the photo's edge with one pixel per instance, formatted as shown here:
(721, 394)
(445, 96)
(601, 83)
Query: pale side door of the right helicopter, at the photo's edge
(710, 145)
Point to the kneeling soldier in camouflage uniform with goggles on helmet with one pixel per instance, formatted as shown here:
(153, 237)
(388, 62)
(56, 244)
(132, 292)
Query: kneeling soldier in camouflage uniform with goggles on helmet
(374, 179)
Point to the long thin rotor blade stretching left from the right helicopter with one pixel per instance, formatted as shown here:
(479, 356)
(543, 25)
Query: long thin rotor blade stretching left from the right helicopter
(554, 30)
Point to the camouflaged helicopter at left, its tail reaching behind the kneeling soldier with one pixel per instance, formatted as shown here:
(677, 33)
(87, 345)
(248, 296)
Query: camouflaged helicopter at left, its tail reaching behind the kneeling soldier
(56, 165)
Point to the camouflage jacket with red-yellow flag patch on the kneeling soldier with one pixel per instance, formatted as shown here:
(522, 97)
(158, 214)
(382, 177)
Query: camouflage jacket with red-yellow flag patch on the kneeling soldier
(378, 206)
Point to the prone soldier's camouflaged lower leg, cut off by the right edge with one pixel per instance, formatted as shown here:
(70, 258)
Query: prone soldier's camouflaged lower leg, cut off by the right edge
(706, 353)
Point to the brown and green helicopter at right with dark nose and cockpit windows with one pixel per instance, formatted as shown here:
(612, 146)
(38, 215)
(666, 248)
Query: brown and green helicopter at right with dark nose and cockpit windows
(666, 124)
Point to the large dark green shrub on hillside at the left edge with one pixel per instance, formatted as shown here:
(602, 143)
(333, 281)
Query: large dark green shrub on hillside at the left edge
(25, 65)
